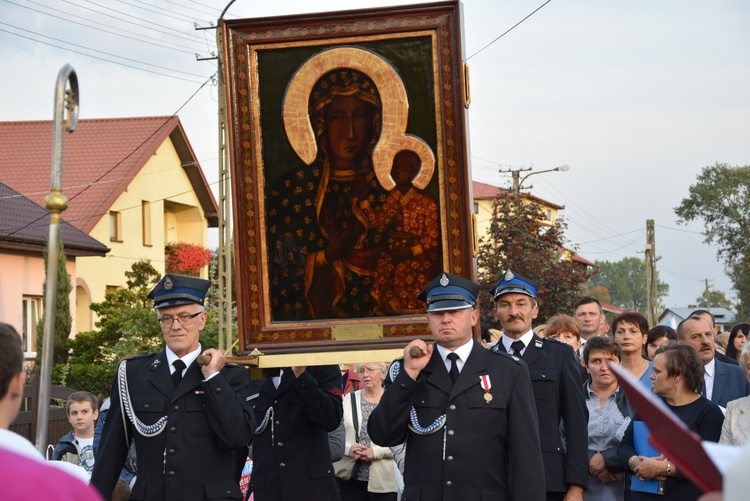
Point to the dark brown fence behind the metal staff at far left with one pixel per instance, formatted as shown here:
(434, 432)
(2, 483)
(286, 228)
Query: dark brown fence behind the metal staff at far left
(26, 421)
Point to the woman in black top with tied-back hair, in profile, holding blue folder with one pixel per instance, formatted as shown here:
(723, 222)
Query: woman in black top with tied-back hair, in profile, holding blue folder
(678, 380)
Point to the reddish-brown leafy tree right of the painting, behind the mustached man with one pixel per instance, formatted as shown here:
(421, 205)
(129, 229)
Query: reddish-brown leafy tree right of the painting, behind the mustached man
(518, 240)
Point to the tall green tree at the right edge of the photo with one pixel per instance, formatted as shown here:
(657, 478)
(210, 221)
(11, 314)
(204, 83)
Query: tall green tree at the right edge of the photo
(719, 198)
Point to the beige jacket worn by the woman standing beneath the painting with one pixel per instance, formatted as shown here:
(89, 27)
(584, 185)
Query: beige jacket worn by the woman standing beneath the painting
(382, 473)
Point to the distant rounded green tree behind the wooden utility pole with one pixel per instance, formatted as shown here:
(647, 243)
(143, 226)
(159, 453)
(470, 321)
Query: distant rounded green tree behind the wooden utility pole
(625, 281)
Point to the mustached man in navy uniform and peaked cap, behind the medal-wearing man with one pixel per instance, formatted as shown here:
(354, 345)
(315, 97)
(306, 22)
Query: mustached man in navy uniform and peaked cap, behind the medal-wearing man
(560, 403)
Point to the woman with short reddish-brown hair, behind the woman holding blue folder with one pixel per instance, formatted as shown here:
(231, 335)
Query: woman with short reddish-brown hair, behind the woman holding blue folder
(630, 331)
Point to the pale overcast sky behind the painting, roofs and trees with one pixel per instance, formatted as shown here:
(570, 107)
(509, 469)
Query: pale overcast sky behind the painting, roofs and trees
(636, 96)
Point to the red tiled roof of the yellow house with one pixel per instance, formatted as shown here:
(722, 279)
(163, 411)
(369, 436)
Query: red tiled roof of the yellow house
(100, 159)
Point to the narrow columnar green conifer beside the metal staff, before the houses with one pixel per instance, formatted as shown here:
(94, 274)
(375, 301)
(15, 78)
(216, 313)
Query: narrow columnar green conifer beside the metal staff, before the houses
(63, 320)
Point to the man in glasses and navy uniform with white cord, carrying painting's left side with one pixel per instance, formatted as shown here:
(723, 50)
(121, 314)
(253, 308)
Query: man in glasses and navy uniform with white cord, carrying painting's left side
(189, 422)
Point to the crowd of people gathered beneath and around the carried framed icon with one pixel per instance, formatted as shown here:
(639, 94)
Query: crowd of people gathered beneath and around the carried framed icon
(519, 416)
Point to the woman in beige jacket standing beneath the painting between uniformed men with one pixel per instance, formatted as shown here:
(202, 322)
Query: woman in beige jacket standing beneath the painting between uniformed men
(367, 471)
